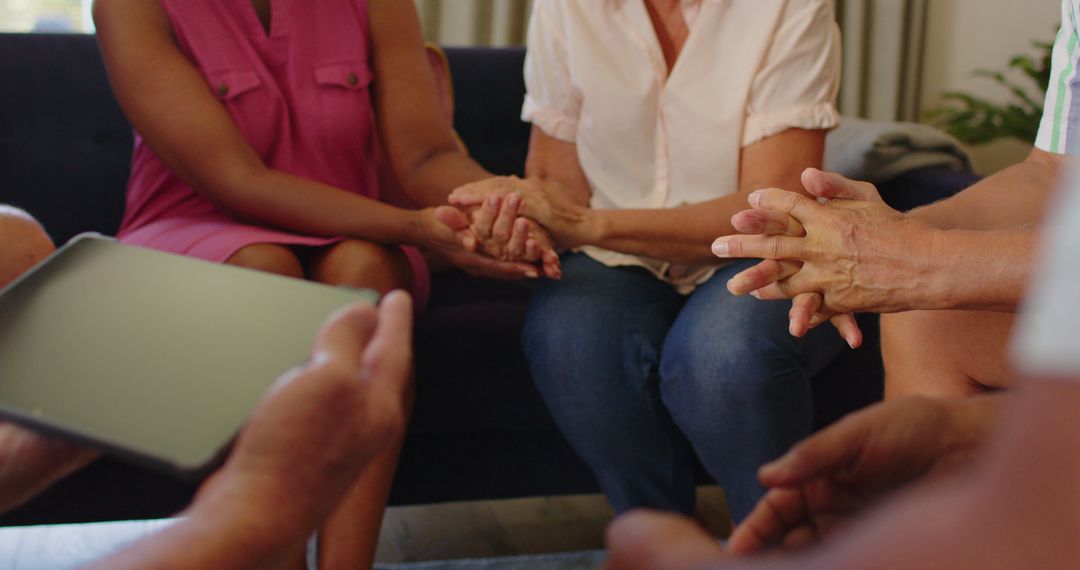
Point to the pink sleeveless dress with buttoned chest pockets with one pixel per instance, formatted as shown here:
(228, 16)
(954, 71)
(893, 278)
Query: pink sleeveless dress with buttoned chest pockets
(301, 98)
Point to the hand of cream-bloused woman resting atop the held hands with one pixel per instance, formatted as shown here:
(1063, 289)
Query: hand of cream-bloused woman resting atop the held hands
(550, 205)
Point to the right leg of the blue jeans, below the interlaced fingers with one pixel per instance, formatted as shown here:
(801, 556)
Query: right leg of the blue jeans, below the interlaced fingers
(738, 385)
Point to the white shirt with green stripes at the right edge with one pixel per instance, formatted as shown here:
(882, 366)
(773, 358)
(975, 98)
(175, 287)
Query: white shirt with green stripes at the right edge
(1060, 130)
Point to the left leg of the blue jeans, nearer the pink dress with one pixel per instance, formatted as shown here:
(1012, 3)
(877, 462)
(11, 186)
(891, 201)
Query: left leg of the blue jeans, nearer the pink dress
(593, 342)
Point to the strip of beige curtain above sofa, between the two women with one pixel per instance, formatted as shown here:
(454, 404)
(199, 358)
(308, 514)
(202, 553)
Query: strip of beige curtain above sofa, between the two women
(476, 22)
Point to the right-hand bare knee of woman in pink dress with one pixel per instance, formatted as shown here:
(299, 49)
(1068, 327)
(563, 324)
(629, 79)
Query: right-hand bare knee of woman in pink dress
(362, 264)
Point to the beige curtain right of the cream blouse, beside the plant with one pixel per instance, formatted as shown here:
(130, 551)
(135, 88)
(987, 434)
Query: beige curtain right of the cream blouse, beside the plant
(884, 50)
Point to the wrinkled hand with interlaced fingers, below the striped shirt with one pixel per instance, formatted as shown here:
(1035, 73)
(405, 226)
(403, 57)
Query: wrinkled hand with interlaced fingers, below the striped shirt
(860, 254)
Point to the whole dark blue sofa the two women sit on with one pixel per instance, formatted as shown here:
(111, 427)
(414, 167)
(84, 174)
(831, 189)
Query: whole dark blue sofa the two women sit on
(479, 428)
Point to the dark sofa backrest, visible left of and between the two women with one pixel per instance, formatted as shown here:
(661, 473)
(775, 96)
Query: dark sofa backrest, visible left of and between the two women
(65, 146)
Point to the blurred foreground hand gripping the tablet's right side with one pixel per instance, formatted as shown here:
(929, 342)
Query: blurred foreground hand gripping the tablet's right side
(331, 416)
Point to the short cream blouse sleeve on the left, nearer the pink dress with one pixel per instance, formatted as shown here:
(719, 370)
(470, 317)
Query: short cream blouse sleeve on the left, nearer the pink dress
(552, 103)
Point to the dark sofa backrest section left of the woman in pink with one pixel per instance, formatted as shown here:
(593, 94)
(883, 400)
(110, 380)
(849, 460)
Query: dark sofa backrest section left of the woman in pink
(65, 147)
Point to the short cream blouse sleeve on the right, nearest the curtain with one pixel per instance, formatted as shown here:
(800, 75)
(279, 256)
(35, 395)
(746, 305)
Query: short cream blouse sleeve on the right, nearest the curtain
(799, 82)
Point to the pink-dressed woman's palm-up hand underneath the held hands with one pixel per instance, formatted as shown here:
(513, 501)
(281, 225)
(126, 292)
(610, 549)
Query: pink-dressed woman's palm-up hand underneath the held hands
(444, 230)
